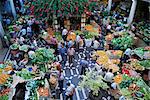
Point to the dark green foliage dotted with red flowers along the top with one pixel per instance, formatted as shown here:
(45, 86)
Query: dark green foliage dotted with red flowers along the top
(61, 7)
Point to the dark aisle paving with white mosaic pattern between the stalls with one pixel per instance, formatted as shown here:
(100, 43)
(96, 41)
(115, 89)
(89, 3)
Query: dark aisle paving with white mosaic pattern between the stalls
(72, 73)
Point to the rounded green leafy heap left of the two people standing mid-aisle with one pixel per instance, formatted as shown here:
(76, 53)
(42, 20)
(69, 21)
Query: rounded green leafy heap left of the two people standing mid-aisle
(43, 55)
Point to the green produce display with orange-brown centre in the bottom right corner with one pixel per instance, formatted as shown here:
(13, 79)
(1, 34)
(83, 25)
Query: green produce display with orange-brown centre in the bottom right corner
(132, 87)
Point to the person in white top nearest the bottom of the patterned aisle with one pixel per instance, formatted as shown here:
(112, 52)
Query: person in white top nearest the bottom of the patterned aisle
(70, 91)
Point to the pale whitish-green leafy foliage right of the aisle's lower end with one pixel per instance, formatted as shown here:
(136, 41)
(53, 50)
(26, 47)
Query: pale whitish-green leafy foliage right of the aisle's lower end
(93, 81)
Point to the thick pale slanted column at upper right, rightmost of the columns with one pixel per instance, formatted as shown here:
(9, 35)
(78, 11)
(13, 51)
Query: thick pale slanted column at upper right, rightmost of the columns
(132, 11)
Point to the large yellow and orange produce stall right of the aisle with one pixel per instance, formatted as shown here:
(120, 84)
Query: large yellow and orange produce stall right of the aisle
(108, 59)
